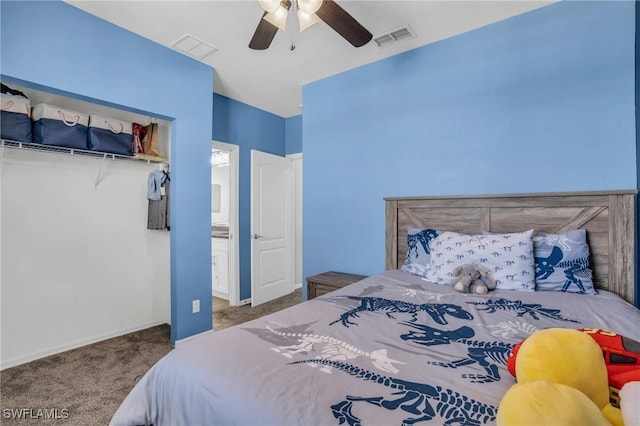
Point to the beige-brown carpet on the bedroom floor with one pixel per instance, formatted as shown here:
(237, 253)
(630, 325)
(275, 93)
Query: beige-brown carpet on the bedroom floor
(85, 386)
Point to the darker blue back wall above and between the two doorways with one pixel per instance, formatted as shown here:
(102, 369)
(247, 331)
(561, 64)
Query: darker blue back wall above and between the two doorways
(250, 128)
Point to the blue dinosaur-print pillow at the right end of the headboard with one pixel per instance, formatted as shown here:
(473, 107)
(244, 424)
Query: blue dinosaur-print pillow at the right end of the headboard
(562, 262)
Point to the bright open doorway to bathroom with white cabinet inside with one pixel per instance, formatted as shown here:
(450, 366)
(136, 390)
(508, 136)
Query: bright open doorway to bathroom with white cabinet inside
(224, 224)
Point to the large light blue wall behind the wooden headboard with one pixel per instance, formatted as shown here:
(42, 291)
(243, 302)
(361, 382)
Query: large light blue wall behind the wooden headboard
(540, 102)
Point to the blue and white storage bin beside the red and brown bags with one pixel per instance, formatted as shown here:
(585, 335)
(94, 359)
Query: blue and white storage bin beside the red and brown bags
(110, 135)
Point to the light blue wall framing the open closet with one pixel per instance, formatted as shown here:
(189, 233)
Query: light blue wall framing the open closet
(53, 46)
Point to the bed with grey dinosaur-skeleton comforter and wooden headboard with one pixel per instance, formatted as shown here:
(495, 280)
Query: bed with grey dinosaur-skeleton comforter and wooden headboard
(397, 348)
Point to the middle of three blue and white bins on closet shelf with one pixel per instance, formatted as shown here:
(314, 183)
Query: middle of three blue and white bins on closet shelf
(53, 125)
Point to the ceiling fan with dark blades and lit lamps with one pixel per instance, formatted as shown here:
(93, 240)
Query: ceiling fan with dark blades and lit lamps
(309, 12)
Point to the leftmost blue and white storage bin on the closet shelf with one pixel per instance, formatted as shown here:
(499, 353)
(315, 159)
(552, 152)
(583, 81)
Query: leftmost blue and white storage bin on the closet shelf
(15, 118)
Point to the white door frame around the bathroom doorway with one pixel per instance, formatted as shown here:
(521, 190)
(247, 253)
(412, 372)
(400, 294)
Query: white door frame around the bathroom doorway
(234, 219)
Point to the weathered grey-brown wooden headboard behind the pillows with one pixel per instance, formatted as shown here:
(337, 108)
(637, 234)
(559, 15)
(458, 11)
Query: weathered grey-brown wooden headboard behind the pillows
(608, 217)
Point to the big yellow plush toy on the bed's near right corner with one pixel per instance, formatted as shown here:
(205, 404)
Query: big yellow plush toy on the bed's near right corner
(561, 377)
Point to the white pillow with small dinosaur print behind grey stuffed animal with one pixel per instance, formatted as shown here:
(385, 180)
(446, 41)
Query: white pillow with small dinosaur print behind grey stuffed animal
(508, 256)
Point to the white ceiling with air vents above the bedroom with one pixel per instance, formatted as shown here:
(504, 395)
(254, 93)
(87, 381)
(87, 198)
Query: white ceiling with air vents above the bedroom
(272, 79)
